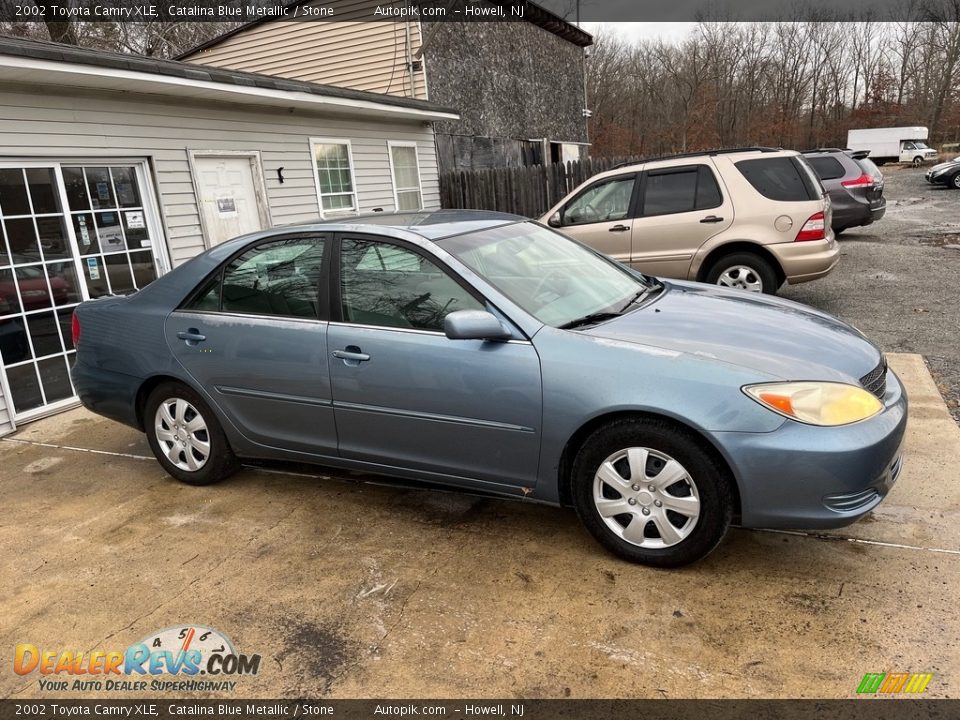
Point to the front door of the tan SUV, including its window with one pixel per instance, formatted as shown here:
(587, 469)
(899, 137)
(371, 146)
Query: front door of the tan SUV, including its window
(601, 216)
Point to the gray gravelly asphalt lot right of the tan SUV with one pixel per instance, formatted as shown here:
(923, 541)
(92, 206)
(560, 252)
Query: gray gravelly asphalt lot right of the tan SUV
(898, 280)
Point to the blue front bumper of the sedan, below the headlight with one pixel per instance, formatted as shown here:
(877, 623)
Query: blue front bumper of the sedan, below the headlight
(805, 477)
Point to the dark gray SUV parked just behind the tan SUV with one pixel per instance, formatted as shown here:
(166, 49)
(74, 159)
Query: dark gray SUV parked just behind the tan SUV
(854, 183)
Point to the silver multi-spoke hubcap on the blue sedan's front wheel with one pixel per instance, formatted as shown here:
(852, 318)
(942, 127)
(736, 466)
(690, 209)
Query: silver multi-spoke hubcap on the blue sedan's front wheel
(646, 498)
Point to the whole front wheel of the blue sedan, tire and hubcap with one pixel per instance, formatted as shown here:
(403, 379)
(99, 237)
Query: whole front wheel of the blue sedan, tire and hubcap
(651, 494)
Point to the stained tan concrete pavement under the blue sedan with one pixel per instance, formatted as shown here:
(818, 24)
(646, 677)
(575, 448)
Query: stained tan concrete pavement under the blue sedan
(358, 590)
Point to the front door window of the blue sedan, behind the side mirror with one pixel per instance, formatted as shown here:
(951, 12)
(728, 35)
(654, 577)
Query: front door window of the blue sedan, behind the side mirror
(391, 286)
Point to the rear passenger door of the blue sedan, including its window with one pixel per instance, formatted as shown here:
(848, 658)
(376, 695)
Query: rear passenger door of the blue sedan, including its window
(254, 338)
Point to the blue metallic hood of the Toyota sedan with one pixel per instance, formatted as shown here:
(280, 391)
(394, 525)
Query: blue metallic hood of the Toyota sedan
(774, 336)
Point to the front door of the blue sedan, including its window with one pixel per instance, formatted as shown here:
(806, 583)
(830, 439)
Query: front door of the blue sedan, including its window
(405, 395)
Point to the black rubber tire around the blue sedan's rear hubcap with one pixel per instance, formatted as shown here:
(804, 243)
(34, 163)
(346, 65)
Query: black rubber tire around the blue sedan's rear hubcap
(218, 464)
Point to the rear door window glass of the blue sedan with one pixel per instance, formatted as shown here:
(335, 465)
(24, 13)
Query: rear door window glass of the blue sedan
(280, 278)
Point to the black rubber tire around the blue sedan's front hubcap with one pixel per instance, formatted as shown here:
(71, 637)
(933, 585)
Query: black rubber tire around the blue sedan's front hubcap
(711, 482)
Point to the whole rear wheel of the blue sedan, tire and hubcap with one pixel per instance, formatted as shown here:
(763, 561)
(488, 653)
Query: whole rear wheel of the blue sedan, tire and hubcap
(186, 437)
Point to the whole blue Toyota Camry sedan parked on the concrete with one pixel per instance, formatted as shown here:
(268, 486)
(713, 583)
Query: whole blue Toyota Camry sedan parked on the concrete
(488, 352)
